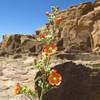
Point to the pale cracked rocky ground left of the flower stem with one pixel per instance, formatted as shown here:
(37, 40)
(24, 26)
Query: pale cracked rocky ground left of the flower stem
(15, 70)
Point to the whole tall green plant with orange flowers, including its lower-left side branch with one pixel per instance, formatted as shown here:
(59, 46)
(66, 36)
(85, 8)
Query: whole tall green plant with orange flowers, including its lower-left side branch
(49, 78)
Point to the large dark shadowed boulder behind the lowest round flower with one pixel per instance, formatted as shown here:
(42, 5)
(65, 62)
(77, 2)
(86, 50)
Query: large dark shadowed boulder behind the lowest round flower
(78, 83)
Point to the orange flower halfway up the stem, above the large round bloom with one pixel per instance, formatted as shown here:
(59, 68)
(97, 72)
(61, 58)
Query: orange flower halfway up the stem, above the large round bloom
(49, 49)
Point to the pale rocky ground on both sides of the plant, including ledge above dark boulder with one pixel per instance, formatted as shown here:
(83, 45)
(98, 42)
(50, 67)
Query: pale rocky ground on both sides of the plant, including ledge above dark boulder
(22, 70)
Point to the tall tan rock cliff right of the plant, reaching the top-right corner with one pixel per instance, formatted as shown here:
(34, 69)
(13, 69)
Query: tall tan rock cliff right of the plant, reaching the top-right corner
(81, 27)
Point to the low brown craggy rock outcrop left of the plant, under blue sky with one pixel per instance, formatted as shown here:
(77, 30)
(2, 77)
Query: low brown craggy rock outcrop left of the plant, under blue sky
(19, 43)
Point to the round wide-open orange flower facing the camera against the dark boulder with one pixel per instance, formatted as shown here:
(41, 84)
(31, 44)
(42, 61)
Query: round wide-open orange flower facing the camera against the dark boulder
(54, 78)
